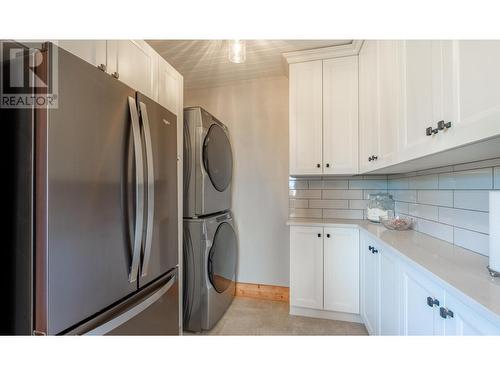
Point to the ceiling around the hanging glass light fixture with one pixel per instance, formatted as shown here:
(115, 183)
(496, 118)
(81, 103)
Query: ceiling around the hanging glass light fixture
(205, 63)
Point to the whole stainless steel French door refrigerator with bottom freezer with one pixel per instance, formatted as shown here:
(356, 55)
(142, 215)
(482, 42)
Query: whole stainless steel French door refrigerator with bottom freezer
(93, 241)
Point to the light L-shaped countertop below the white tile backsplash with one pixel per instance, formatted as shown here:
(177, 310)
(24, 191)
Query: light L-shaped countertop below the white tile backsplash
(461, 271)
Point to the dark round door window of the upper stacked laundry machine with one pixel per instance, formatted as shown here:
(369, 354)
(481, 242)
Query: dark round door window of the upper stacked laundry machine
(217, 157)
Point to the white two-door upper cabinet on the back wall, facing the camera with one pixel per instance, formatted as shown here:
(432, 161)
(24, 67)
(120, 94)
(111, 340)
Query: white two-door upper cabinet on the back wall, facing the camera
(324, 116)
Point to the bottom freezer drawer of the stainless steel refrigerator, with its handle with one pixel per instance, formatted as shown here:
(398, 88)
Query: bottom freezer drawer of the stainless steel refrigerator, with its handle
(153, 311)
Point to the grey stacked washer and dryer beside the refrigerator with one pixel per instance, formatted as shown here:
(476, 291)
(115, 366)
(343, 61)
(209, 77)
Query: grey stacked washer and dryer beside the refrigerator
(210, 243)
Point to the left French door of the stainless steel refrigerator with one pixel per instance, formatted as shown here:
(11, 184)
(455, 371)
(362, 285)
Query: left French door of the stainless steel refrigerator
(88, 192)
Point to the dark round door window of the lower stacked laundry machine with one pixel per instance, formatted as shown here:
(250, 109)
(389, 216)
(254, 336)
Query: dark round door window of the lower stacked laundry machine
(222, 258)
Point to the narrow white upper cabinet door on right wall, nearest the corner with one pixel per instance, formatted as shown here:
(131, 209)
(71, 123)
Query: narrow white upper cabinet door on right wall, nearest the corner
(368, 104)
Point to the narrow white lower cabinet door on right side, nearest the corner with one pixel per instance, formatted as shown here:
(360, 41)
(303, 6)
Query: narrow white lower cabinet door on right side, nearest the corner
(370, 288)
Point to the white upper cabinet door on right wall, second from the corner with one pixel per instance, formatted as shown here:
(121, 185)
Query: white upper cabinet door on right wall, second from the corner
(389, 94)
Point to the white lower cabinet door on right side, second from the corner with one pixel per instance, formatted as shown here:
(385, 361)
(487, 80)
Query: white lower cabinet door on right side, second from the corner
(389, 294)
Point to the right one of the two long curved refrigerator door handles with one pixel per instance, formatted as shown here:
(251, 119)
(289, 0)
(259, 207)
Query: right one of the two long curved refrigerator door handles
(151, 188)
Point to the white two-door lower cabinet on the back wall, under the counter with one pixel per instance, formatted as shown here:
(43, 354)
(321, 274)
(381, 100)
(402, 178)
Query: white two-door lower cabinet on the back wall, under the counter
(324, 271)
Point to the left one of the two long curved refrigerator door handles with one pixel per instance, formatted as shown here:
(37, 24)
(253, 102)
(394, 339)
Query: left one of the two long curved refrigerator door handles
(139, 191)
